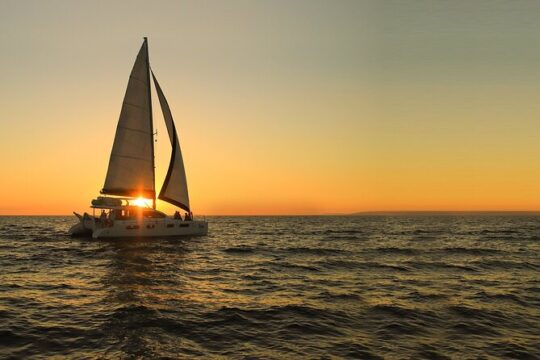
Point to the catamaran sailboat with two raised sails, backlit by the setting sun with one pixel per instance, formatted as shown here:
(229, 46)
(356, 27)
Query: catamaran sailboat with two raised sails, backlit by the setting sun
(131, 174)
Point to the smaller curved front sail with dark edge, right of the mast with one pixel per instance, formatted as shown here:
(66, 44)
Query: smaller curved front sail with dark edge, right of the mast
(174, 189)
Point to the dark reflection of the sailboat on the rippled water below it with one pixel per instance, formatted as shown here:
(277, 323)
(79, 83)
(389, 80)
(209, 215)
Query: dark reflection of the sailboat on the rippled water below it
(138, 279)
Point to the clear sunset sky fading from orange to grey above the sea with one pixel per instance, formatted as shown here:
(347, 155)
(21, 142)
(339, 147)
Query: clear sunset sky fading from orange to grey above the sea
(282, 107)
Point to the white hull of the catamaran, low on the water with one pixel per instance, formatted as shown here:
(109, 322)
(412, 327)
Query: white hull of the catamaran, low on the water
(139, 228)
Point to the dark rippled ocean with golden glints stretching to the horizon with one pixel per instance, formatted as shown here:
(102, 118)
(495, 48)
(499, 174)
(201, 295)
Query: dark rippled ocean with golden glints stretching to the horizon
(367, 287)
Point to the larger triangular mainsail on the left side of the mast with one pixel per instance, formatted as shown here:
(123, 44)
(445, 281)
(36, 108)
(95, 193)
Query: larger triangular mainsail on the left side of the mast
(131, 165)
